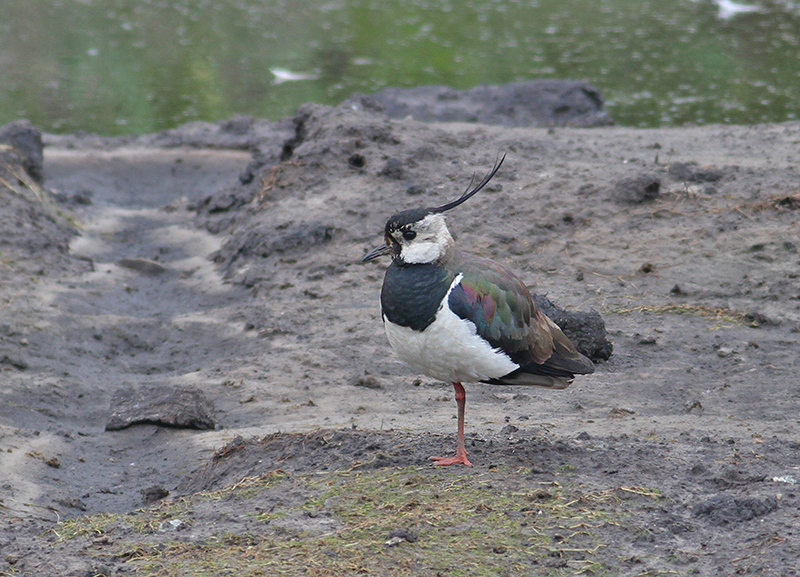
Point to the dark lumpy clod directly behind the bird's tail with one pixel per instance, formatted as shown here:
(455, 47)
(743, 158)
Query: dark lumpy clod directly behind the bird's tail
(586, 330)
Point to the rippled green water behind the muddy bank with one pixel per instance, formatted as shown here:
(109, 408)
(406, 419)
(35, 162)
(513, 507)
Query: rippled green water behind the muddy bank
(136, 66)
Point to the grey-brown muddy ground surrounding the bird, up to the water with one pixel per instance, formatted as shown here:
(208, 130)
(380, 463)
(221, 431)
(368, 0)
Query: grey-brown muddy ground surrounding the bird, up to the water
(264, 306)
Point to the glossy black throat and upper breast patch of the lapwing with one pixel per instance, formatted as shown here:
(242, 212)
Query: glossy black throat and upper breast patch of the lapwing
(412, 293)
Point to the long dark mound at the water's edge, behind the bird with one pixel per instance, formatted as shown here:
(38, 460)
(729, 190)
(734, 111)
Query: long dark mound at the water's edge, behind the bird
(541, 102)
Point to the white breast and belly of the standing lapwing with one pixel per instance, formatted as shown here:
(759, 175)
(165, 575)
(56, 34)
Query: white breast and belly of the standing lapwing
(449, 349)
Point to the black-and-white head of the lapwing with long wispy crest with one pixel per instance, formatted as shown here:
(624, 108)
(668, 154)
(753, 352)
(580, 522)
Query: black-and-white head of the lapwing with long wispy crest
(420, 235)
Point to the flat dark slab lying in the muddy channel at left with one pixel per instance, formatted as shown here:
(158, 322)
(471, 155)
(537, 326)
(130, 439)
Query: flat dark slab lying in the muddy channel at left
(173, 406)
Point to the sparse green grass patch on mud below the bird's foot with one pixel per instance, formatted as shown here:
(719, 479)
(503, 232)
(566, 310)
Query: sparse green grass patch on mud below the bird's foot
(466, 523)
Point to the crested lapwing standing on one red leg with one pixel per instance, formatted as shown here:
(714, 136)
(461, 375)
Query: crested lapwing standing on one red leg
(458, 317)
